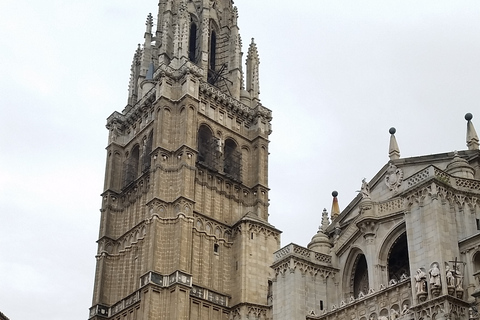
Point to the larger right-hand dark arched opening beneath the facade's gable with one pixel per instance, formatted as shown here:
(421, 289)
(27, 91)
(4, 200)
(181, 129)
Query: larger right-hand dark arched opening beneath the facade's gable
(398, 263)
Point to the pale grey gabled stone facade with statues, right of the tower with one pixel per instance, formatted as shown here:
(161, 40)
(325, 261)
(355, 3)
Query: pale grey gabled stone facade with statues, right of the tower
(407, 247)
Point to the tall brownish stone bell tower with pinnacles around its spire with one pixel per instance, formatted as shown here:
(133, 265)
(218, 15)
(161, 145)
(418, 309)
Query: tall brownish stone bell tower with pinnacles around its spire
(184, 230)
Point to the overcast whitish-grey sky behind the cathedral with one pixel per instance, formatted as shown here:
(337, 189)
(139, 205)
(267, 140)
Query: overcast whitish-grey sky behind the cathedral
(336, 74)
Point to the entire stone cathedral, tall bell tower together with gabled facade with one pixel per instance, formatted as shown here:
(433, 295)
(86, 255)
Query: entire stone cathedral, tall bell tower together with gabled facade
(184, 231)
